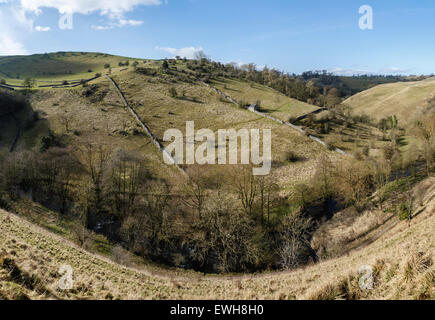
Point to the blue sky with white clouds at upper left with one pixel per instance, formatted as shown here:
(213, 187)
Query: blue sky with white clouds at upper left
(290, 35)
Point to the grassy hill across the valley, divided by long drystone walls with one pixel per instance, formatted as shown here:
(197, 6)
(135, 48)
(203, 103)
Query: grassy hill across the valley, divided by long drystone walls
(149, 95)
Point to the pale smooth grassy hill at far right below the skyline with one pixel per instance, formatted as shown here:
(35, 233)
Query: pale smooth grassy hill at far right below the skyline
(403, 99)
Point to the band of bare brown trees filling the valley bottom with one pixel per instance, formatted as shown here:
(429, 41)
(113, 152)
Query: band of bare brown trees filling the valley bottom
(227, 221)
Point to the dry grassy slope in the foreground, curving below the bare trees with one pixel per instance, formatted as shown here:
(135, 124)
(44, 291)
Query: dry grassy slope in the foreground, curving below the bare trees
(401, 259)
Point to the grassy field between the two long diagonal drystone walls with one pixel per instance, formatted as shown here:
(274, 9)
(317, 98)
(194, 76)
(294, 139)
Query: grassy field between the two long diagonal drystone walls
(196, 102)
